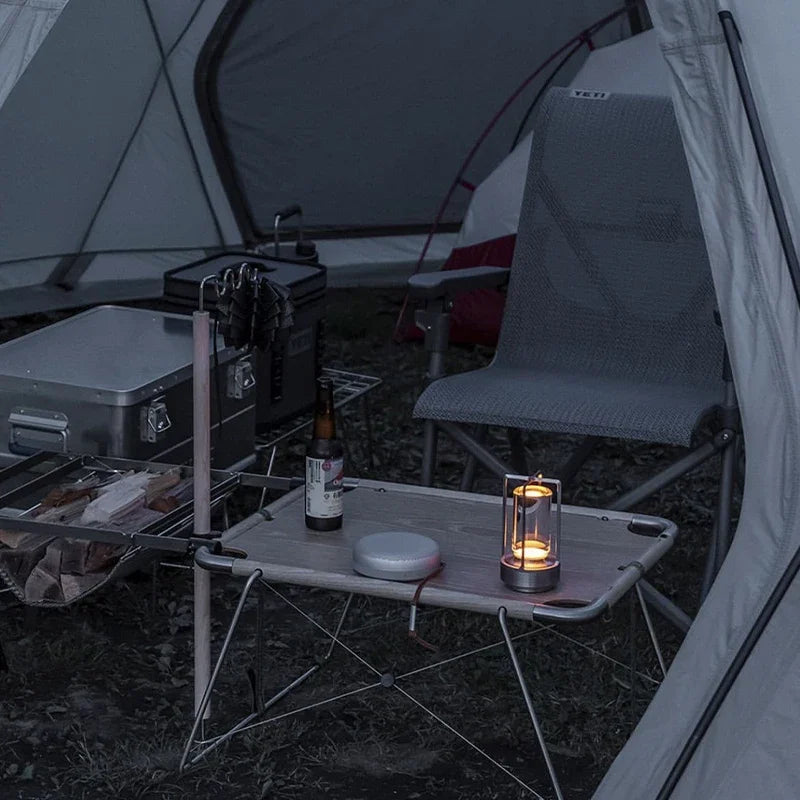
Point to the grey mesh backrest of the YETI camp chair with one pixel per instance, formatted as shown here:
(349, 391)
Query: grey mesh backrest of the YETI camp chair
(610, 273)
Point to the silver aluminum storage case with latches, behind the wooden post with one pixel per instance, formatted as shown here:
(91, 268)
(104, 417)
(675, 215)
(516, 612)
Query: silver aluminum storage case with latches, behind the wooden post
(116, 381)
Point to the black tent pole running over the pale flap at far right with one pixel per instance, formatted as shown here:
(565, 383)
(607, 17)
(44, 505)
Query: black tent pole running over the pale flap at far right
(733, 40)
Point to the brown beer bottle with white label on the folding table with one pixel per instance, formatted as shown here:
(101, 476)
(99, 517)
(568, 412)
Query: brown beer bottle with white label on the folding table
(324, 465)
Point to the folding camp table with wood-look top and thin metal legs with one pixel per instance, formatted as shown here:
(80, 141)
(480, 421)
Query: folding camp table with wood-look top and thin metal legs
(603, 555)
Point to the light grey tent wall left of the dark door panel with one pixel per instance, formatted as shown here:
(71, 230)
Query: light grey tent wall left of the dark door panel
(102, 150)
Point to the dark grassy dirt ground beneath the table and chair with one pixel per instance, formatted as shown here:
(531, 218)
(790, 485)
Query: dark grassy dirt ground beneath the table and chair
(97, 699)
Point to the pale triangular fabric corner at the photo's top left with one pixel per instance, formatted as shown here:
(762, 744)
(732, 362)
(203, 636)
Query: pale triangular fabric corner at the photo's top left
(23, 27)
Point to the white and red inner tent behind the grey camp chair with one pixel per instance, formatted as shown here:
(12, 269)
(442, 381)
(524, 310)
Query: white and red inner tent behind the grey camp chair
(488, 232)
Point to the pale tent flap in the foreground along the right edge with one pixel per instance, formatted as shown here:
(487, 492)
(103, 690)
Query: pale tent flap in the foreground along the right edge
(750, 747)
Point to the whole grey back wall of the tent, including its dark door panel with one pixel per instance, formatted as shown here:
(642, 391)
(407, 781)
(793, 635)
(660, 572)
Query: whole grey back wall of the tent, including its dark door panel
(141, 135)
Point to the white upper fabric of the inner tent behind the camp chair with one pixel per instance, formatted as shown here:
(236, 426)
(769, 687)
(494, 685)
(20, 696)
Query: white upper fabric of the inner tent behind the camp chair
(632, 65)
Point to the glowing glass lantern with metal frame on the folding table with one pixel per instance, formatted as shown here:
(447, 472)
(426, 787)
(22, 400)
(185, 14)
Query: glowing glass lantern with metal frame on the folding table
(531, 532)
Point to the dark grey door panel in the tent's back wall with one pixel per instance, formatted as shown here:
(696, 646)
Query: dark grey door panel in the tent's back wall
(363, 112)
